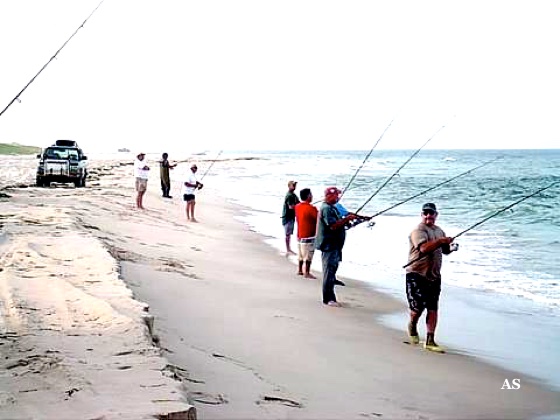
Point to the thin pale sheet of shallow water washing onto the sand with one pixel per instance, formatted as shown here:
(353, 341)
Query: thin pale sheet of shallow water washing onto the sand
(466, 315)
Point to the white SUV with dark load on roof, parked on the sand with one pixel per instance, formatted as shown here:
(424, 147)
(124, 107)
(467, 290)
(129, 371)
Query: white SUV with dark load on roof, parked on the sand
(62, 162)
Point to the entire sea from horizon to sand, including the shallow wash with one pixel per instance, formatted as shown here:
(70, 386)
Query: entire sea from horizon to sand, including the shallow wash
(501, 290)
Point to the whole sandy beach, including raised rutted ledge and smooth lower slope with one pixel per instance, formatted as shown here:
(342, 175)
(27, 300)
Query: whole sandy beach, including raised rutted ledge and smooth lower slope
(236, 333)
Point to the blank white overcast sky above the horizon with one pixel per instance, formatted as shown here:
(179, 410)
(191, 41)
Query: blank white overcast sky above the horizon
(210, 75)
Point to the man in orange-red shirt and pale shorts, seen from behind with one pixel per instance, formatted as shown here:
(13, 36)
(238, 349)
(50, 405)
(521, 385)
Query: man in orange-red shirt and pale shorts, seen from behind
(306, 217)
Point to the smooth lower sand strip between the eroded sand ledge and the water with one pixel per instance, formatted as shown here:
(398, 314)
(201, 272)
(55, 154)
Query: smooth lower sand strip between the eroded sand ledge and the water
(250, 339)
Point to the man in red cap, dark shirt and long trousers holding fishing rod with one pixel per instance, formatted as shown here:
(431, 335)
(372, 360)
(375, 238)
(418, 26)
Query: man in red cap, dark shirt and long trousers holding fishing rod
(331, 234)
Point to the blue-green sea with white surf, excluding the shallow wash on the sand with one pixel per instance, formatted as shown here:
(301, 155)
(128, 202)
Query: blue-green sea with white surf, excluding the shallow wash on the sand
(514, 253)
